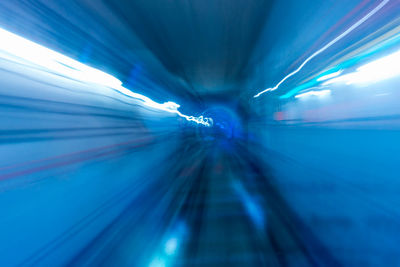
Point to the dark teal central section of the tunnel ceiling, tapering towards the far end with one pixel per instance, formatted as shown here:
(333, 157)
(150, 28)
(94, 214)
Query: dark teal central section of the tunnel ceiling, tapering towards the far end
(206, 43)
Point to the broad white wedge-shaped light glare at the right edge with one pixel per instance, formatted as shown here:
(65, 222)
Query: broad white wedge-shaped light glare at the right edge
(375, 71)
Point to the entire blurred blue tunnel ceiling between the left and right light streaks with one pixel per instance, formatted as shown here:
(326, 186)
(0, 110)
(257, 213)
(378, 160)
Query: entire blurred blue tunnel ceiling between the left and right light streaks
(207, 50)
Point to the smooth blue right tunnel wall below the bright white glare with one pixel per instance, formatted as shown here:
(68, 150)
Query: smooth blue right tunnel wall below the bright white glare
(335, 160)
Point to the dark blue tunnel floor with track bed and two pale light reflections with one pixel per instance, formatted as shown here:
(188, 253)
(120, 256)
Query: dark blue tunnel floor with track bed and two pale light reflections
(219, 209)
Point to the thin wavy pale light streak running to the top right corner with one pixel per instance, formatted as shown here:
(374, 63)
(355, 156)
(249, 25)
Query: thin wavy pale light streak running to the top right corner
(338, 38)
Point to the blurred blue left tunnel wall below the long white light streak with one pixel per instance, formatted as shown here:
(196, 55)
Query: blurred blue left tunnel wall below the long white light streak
(73, 157)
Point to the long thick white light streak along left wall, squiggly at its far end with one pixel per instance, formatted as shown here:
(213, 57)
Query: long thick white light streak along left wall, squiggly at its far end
(16, 48)
